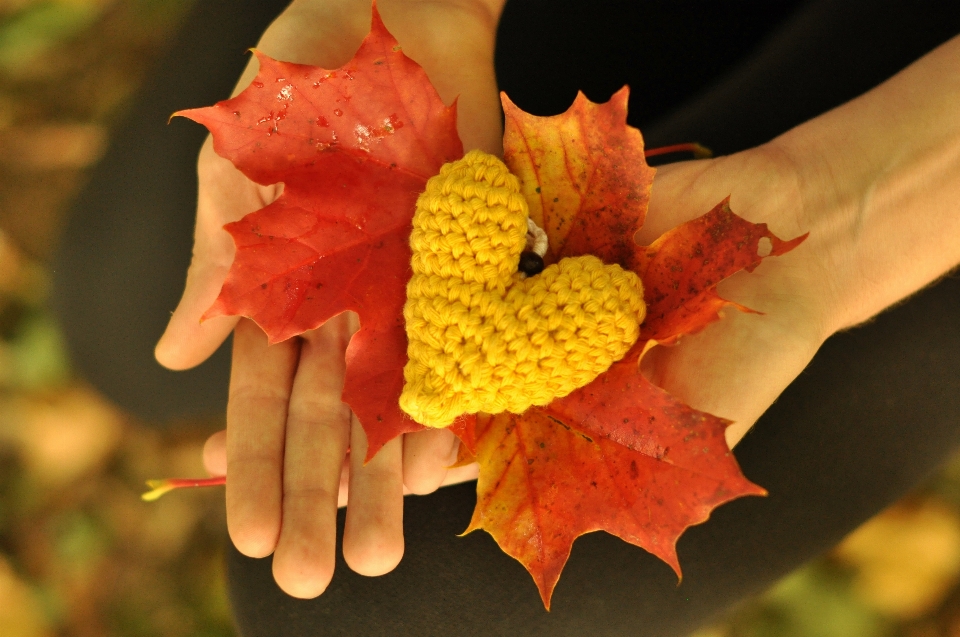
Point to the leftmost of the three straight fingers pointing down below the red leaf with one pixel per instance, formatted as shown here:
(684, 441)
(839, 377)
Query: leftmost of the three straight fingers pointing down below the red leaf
(260, 382)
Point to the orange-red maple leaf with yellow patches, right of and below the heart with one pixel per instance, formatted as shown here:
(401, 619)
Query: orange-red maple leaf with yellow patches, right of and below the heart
(619, 454)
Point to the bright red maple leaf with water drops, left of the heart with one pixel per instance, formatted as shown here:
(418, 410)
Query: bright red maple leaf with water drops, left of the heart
(353, 147)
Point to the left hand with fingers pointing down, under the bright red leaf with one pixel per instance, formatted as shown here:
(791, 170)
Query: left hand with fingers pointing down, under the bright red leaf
(287, 430)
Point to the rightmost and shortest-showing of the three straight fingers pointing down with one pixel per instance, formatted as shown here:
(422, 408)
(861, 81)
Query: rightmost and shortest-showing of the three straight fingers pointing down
(373, 533)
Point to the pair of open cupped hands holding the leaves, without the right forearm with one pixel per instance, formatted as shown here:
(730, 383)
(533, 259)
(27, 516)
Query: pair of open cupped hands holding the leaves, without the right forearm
(285, 448)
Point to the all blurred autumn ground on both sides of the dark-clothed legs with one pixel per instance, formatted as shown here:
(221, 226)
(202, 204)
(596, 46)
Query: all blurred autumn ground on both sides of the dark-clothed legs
(81, 555)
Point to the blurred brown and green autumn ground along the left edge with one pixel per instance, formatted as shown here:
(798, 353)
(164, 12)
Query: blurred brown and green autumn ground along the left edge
(80, 554)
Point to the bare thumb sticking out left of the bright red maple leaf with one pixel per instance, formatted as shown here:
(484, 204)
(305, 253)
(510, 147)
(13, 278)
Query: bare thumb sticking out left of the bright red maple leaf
(225, 195)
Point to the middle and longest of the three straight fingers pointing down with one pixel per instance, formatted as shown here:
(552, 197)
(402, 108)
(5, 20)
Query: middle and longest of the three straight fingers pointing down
(318, 432)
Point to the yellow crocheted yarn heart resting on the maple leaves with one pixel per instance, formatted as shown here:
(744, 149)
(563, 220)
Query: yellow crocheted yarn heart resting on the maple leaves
(483, 337)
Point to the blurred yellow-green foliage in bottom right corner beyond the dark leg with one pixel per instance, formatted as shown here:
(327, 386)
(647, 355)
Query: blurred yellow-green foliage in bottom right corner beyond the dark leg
(895, 576)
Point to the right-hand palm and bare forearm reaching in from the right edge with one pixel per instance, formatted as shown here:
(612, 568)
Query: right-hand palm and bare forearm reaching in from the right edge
(876, 183)
